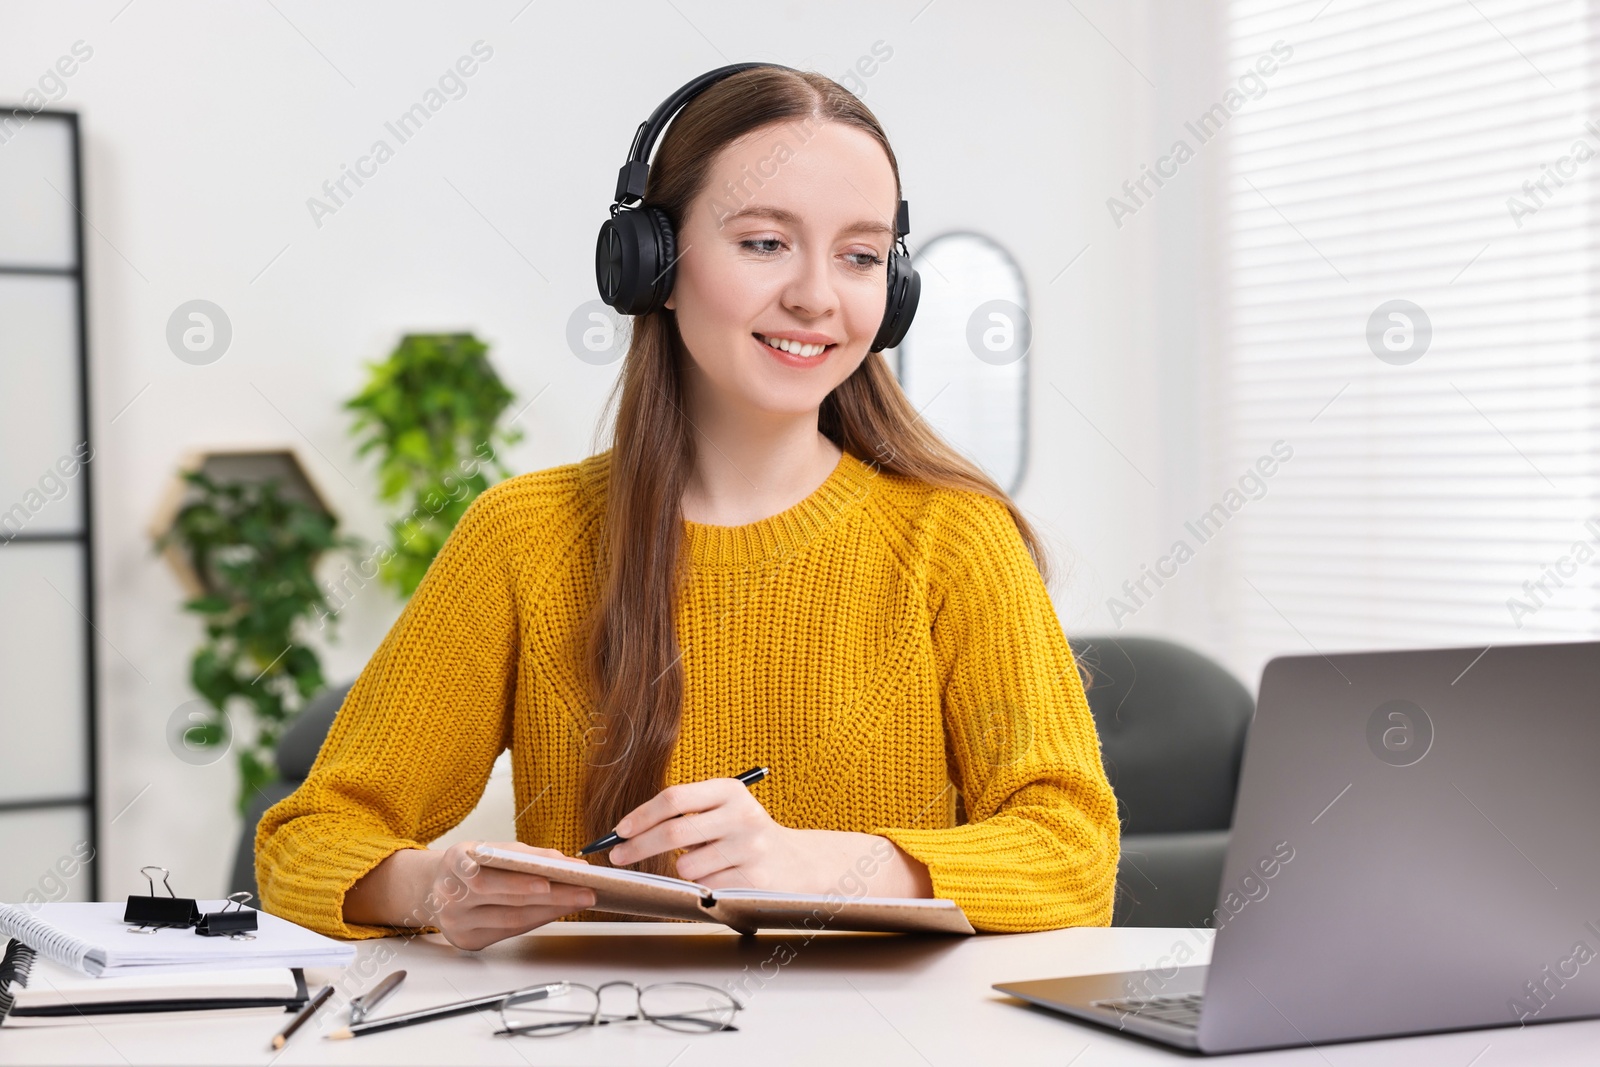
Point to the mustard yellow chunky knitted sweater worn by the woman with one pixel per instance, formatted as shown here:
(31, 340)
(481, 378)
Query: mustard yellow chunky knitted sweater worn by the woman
(887, 649)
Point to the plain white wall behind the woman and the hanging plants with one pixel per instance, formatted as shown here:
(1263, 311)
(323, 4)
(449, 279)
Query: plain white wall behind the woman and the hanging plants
(207, 127)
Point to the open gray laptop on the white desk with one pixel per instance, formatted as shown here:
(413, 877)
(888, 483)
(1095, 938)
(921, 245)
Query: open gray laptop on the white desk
(1415, 850)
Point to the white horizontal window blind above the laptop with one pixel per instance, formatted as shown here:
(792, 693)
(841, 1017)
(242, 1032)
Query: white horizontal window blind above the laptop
(1409, 305)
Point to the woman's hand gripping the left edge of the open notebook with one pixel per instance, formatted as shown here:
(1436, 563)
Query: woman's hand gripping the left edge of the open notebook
(476, 906)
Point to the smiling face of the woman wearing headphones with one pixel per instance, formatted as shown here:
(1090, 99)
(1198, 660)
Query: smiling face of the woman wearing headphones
(790, 239)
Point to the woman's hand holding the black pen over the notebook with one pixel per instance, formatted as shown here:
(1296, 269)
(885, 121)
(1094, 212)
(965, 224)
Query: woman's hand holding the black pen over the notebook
(732, 844)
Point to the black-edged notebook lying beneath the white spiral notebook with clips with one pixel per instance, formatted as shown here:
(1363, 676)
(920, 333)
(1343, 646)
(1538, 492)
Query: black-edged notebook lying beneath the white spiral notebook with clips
(38, 993)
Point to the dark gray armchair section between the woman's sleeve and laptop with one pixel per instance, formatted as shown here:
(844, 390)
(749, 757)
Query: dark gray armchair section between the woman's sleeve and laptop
(1172, 725)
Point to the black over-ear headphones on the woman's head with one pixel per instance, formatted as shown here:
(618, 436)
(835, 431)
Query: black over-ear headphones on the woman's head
(638, 250)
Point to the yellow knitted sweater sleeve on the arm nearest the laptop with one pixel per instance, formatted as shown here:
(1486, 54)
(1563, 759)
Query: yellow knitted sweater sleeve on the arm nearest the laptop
(1042, 839)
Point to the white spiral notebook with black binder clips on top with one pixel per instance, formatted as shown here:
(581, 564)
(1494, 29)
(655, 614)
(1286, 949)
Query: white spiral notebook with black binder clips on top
(92, 938)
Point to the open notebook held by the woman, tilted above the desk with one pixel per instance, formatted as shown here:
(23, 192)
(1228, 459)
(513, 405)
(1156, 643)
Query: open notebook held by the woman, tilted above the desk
(638, 893)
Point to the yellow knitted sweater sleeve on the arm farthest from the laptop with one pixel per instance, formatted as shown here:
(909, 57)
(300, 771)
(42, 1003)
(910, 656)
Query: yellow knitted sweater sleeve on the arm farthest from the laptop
(414, 745)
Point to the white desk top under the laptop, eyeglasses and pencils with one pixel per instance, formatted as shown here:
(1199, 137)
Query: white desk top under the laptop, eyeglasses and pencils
(844, 999)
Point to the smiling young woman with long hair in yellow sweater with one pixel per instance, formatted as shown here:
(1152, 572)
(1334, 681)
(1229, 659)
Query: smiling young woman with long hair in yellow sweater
(775, 564)
